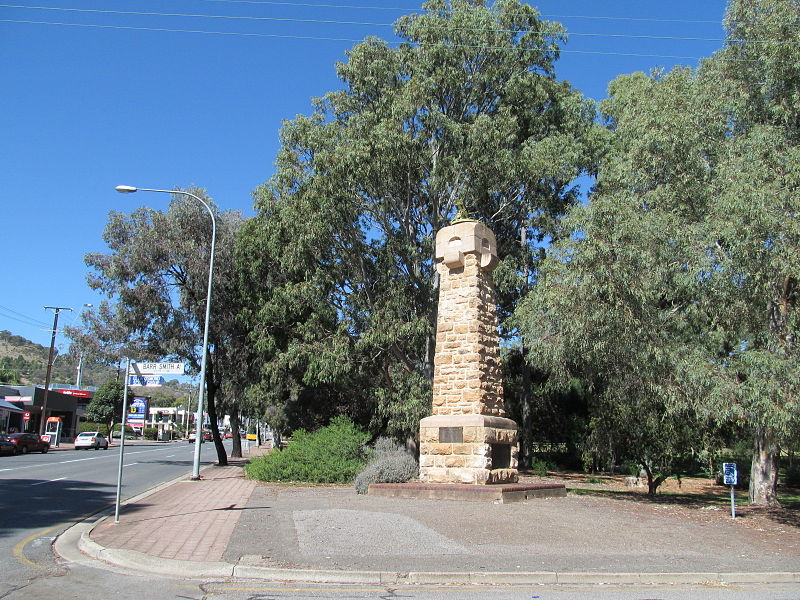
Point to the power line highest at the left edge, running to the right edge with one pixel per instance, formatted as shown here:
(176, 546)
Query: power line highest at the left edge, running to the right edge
(376, 24)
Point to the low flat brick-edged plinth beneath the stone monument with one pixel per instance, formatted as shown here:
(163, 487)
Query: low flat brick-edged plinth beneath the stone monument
(501, 493)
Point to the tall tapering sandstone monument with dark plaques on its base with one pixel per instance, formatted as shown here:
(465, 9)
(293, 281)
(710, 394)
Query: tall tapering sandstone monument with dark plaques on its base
(467, 439)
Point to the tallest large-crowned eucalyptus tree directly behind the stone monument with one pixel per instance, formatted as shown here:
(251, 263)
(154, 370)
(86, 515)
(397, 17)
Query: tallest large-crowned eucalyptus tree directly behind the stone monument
(465, 111)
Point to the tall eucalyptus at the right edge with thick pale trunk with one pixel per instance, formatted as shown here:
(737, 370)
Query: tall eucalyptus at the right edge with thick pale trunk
(754, 261)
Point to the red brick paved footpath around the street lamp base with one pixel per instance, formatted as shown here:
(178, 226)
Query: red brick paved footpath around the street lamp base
(188, 520)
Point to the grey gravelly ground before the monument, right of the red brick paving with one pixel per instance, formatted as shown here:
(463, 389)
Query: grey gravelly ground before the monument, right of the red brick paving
(326, 527)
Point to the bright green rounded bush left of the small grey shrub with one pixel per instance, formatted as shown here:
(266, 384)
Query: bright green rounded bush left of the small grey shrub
(333, 454)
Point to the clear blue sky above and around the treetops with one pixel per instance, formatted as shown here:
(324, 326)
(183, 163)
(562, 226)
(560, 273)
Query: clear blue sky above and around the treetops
(93, 99)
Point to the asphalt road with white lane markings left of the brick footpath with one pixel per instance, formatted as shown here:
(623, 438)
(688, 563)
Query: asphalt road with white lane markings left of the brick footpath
(41, 494)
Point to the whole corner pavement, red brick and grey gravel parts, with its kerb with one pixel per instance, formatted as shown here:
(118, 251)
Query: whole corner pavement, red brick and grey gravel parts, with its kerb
(226, 525)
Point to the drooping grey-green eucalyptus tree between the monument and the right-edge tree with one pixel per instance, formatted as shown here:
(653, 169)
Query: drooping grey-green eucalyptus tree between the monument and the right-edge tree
(613, 297)
